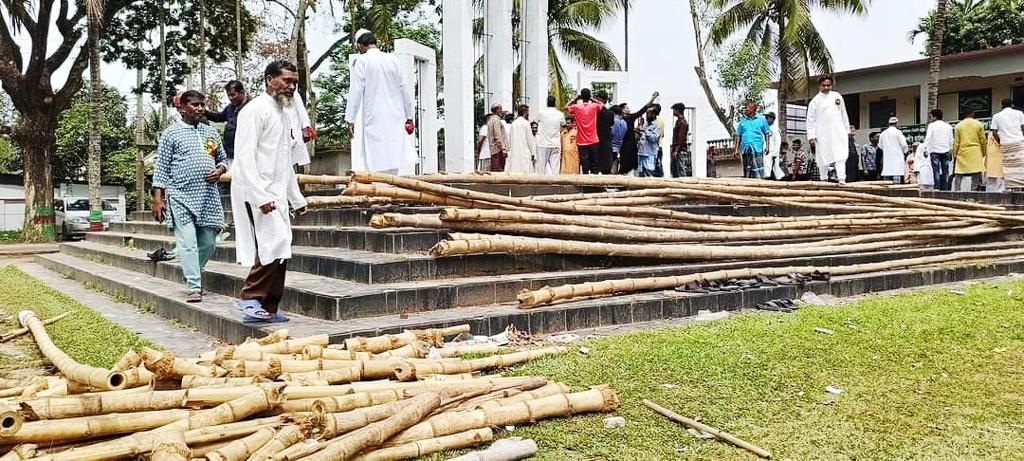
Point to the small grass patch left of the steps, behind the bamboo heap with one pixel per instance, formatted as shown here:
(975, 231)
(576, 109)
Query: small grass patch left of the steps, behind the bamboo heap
(84, 336)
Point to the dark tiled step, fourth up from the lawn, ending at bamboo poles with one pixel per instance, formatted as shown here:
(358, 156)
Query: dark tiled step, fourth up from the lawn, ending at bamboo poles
(396, 240)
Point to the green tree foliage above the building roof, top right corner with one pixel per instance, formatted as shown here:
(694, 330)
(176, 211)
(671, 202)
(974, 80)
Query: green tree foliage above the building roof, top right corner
(974, 25)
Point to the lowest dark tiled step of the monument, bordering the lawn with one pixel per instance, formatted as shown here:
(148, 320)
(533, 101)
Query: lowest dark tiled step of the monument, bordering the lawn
(217, 316)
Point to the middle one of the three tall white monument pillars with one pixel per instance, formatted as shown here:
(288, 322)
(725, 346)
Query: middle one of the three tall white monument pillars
(498, 53)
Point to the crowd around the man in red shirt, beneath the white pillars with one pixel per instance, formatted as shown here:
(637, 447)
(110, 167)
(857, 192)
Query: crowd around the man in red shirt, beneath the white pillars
(589, 136)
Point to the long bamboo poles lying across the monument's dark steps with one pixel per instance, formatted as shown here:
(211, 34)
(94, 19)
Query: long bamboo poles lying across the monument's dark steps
(647, 219)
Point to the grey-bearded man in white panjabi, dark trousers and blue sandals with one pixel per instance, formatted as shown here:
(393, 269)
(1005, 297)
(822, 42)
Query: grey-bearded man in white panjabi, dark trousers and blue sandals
(264, 186)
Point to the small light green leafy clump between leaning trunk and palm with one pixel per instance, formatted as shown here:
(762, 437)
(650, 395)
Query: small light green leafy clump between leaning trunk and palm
(744, 74)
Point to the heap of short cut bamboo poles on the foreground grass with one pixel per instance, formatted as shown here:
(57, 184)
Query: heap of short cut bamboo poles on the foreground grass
(284, 399)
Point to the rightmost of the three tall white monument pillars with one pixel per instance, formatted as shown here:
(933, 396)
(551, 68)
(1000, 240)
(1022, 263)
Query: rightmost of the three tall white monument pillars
(535, 59)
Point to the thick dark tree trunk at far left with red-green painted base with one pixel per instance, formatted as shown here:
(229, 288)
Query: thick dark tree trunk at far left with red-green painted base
(34, 134)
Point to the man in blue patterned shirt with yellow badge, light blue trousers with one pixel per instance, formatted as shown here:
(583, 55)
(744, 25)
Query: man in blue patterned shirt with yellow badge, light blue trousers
(191, 159)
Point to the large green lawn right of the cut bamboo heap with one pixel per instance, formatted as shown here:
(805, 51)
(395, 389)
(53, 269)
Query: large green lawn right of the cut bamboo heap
(930, 375)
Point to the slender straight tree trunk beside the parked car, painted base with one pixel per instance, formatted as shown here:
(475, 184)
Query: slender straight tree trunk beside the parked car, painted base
(96, 119)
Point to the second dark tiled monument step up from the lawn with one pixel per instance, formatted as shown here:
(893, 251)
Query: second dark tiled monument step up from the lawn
(330, 299)
